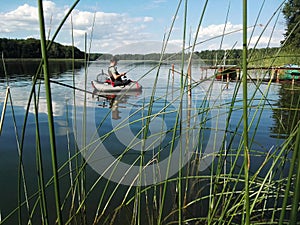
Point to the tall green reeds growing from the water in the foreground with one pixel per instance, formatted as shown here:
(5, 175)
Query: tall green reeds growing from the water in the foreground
(229, 191)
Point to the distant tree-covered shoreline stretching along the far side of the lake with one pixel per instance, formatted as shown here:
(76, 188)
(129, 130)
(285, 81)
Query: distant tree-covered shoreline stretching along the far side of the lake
(30, 48)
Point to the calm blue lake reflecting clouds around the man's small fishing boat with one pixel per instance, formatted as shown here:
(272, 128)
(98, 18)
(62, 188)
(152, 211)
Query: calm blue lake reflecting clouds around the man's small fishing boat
(122, 156)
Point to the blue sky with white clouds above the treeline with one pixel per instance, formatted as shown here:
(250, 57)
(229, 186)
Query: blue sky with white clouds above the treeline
(136, 26)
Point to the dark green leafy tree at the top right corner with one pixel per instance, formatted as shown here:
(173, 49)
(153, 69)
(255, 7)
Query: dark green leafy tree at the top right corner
(291, 12)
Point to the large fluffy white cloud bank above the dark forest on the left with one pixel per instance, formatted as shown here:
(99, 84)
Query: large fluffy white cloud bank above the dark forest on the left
(110, 28)
